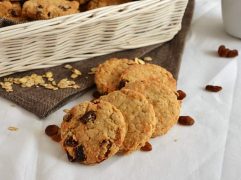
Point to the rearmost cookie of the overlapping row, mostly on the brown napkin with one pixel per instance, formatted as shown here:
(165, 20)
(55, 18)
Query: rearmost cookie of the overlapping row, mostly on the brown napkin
(108, 74)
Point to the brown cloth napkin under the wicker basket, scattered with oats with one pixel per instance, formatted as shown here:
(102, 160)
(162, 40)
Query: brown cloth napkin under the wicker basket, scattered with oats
(42, 102)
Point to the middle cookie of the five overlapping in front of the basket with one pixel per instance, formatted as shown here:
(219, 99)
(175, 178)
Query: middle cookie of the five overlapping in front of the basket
(164, 101)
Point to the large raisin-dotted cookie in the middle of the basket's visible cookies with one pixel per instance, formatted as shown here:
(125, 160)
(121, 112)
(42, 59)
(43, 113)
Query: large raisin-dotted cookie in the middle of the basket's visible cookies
(47, 9)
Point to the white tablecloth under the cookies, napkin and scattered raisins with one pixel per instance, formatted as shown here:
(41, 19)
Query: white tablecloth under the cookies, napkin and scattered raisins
(209, 150)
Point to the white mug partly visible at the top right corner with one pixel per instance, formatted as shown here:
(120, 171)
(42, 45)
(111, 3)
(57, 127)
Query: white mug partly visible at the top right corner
(231, 11)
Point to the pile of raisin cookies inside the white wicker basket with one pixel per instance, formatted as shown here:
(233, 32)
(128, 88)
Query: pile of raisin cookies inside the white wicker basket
(25, 10)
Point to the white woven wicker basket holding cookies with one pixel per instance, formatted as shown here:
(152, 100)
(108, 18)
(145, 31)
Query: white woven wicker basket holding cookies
(43, 44)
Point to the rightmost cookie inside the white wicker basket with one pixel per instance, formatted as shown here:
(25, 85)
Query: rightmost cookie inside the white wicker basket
(93, 4)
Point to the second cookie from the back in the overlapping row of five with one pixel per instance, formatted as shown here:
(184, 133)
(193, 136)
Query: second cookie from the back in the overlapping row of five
(139, 72)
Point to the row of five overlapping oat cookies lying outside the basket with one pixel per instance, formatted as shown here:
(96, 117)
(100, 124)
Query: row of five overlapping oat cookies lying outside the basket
(139, 102)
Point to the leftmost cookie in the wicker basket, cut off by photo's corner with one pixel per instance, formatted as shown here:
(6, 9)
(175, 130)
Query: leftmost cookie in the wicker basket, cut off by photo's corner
(11, 11)
